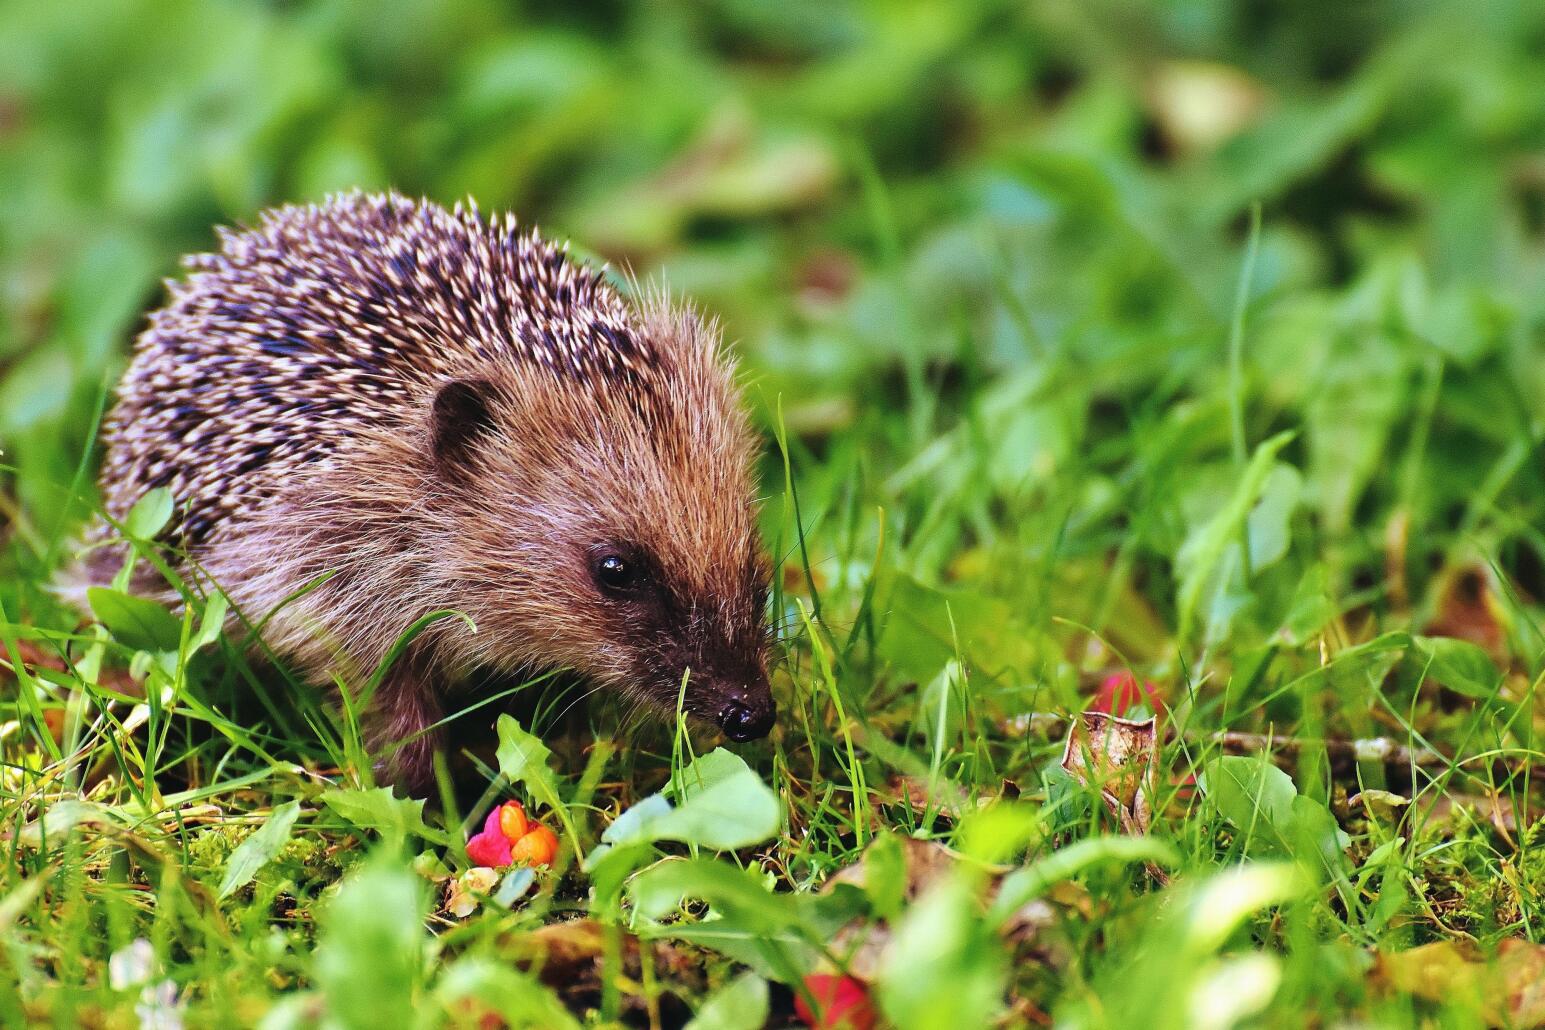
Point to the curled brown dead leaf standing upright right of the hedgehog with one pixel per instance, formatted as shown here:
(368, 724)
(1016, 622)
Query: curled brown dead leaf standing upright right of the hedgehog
(1116, 757)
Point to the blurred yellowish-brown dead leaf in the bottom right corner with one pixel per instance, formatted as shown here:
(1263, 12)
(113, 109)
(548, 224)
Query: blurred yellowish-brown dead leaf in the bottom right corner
(1509, 991)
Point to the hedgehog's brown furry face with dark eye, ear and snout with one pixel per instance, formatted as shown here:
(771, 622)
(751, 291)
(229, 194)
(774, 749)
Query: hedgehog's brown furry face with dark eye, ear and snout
(617, 541)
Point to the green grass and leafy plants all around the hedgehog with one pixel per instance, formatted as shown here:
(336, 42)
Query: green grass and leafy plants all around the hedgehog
(1062, 374)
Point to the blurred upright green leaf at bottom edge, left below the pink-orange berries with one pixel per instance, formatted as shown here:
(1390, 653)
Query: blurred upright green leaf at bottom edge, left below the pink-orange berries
(372, 955)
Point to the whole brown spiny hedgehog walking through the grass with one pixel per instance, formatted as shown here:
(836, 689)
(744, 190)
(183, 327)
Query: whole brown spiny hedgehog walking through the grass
(376, 408)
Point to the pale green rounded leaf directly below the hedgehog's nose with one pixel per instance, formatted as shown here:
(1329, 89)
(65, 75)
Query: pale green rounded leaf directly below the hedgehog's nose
(724, 807)
